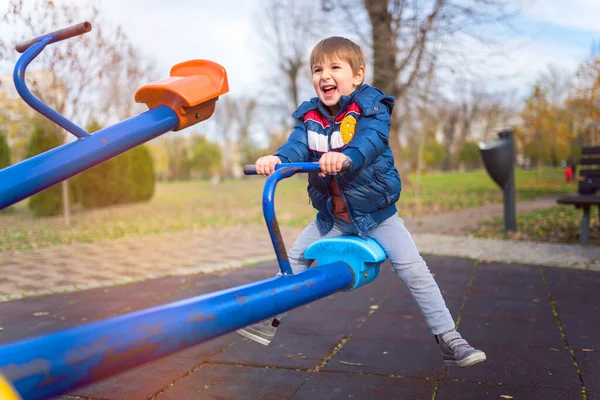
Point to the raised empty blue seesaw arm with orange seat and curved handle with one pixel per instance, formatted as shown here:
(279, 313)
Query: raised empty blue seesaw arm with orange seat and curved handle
(187, 97)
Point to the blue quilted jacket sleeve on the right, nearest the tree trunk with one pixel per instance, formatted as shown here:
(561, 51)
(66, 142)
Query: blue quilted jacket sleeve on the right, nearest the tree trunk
(371, 137)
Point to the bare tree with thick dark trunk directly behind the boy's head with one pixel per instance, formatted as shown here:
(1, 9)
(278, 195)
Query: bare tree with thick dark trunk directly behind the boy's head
(407, 37)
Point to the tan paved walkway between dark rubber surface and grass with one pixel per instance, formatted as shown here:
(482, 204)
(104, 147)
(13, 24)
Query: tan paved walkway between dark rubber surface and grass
(84, 266)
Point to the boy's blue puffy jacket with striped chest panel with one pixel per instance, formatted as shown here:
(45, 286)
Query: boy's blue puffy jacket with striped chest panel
(372, 188)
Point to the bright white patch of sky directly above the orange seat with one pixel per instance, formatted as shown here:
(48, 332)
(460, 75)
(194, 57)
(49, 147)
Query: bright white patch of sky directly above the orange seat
(171, 32)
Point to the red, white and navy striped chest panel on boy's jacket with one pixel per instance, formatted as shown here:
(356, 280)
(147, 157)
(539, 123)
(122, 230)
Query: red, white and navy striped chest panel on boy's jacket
(323, 134)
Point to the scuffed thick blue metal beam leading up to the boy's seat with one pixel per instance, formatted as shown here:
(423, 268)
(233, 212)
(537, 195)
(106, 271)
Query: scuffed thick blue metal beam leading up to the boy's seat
(47, 366)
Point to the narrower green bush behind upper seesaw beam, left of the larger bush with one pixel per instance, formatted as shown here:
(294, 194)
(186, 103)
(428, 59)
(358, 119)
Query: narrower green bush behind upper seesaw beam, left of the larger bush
(47, 202)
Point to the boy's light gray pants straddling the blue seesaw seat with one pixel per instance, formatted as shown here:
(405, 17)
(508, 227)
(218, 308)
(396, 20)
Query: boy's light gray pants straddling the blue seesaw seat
(410, 267)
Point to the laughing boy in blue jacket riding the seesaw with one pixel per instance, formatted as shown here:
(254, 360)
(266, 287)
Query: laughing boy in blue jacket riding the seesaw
(349, 119)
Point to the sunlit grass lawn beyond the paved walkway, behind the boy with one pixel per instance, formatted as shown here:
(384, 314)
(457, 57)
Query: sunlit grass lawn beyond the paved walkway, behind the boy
(194, 205)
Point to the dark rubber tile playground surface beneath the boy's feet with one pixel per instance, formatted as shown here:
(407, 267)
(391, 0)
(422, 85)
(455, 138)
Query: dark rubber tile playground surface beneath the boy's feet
(539, 326)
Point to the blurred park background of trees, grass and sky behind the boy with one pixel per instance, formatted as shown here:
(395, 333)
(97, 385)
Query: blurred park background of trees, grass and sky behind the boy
(460, 71)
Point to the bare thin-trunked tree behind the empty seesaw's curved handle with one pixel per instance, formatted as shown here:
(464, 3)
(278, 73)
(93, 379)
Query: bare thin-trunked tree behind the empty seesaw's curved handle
(76, 72)
